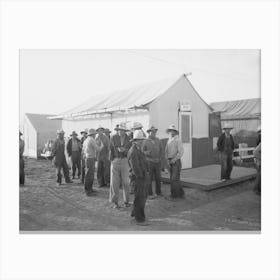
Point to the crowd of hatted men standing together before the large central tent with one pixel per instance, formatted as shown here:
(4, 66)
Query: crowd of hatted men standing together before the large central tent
(127, 159)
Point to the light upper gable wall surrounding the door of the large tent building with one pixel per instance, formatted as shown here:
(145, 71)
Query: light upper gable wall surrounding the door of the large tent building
(164, 110)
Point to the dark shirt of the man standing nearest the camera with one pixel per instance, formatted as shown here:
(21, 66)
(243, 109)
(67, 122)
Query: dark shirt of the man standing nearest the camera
(137, 162)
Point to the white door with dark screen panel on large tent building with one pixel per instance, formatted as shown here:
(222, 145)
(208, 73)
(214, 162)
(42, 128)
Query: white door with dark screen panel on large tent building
(185, 130)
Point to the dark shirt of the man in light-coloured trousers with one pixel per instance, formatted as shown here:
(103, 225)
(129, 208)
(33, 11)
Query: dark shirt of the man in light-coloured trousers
(115, 145)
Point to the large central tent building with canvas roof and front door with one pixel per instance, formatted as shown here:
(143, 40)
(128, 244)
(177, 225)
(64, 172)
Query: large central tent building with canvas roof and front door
(170, 101)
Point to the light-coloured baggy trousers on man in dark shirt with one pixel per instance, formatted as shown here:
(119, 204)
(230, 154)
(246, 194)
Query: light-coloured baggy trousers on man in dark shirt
(119, 177)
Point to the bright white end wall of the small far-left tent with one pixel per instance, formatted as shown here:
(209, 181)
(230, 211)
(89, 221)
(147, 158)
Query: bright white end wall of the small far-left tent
(30, 139)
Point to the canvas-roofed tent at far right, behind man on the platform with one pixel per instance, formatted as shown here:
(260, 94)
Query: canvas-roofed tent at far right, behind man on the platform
(244, 115)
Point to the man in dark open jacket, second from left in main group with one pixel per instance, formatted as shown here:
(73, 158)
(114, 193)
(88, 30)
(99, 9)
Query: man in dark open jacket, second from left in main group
(74, 149)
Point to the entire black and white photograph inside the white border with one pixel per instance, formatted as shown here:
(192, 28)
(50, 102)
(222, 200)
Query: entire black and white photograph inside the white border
(135, 140)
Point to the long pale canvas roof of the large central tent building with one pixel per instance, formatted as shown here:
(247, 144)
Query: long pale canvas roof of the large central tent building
(136, 97)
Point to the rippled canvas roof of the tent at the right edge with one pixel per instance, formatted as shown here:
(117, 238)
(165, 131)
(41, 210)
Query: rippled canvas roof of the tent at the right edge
(238, 109)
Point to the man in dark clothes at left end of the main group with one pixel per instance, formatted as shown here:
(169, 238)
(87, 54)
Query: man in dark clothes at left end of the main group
(59, 158)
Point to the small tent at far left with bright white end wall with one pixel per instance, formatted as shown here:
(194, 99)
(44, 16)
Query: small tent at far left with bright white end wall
(37, 130)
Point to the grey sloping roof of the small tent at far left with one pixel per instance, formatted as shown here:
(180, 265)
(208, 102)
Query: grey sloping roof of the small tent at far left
(40, 122)
